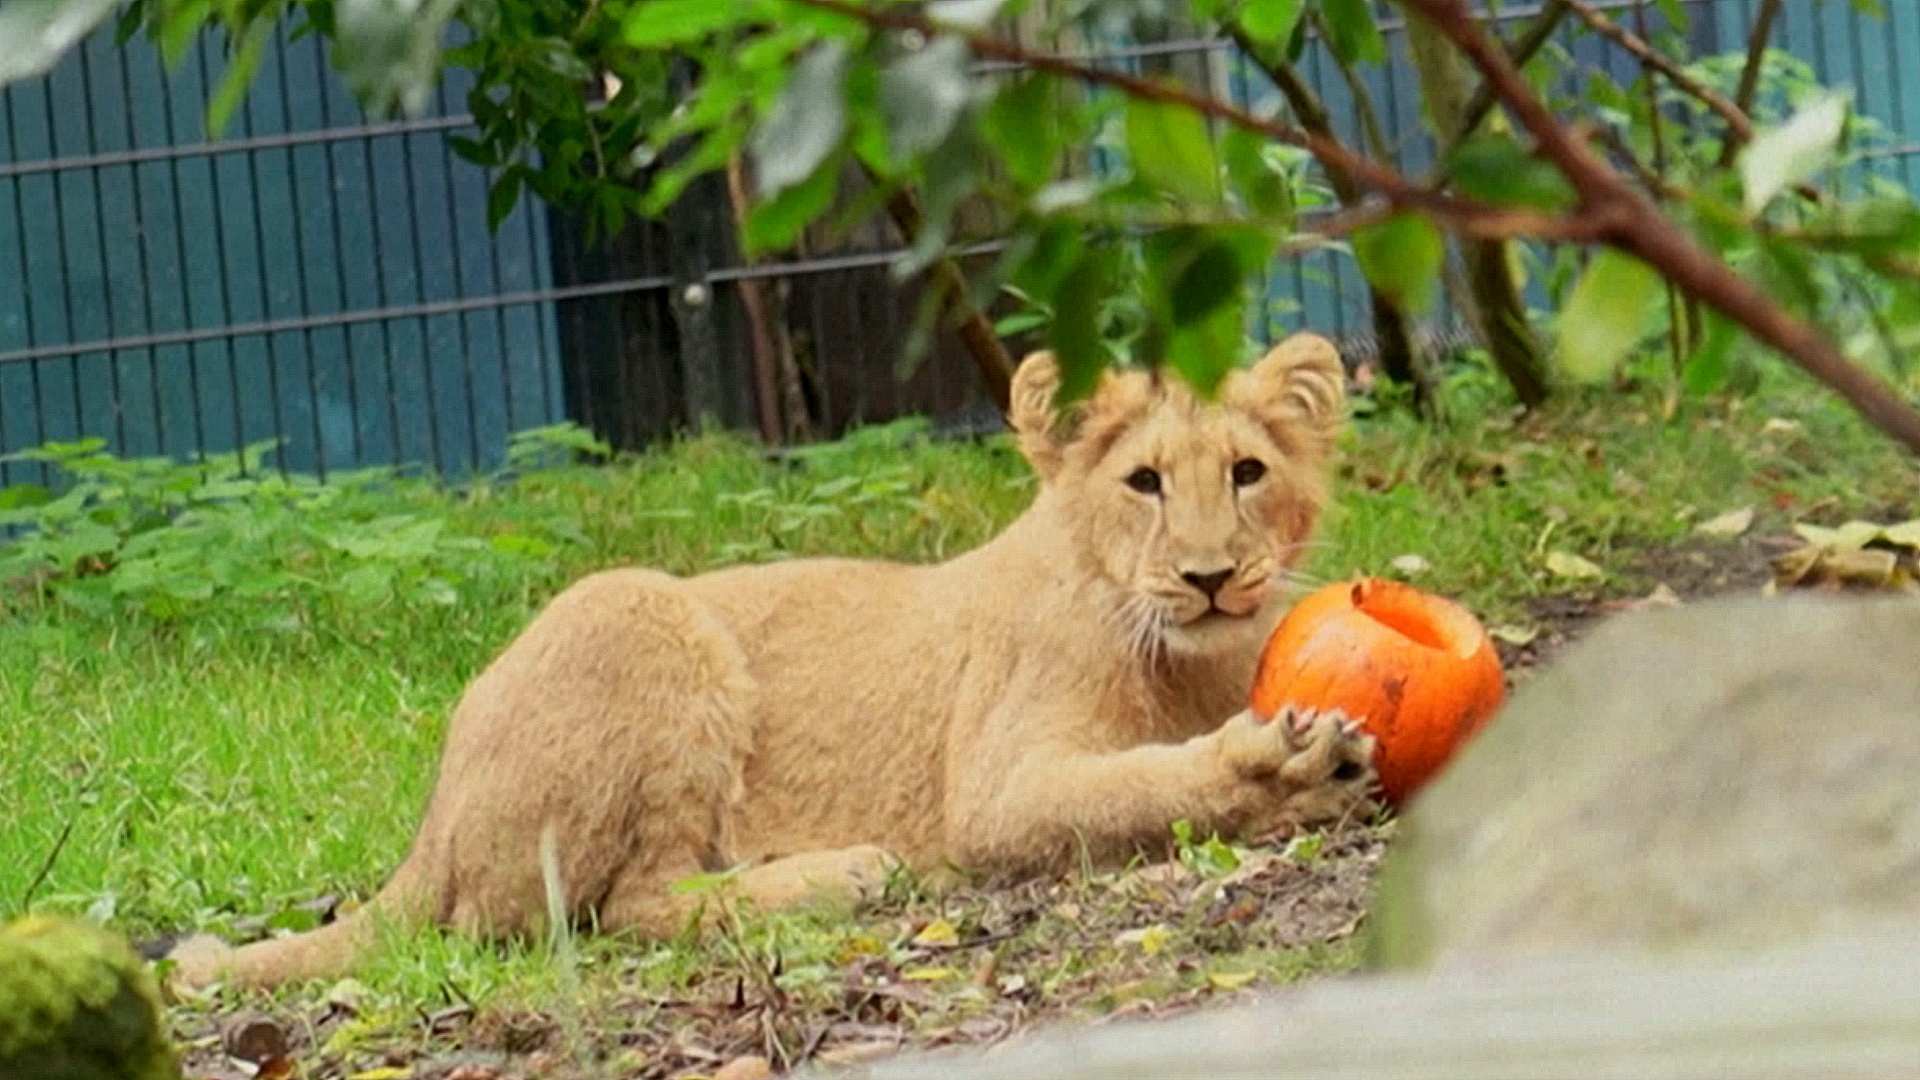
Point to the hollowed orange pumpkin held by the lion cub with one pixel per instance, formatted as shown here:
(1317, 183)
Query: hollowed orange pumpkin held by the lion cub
(1414, 668)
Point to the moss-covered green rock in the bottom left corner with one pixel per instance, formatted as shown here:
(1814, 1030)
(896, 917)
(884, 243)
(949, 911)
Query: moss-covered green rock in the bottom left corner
(78, 1004)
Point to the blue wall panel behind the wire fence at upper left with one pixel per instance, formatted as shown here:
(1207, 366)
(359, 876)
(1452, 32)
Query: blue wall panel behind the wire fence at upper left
(93, 253)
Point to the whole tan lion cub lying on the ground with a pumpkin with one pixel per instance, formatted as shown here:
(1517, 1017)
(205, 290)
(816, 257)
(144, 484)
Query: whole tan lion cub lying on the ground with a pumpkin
(1059, 689)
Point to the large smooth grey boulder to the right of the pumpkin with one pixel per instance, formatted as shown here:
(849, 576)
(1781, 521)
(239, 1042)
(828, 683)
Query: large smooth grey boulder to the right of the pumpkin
(1717, 777)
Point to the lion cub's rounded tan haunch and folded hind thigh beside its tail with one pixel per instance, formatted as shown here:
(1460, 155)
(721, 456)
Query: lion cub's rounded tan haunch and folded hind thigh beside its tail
(617, 727)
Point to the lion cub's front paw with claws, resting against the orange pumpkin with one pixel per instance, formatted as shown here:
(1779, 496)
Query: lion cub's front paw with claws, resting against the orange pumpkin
(1307, 766)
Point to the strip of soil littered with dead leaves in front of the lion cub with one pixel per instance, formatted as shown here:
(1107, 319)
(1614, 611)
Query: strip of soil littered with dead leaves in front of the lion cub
(972, 966)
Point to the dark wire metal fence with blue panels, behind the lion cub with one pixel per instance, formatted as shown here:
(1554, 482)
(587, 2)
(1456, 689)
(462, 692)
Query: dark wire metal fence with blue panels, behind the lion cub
(333, 285)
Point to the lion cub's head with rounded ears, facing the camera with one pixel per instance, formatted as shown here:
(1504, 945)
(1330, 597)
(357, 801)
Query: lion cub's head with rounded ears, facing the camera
(1195, 510)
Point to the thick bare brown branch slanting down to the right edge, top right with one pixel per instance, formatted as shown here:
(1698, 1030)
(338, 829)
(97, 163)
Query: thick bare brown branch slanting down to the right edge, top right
(1639, 228)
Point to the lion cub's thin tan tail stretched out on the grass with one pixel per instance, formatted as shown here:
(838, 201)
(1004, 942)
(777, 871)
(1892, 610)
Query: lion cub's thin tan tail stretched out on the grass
(327, 952)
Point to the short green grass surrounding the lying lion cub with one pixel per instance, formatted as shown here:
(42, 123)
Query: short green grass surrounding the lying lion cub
(208, 772)
